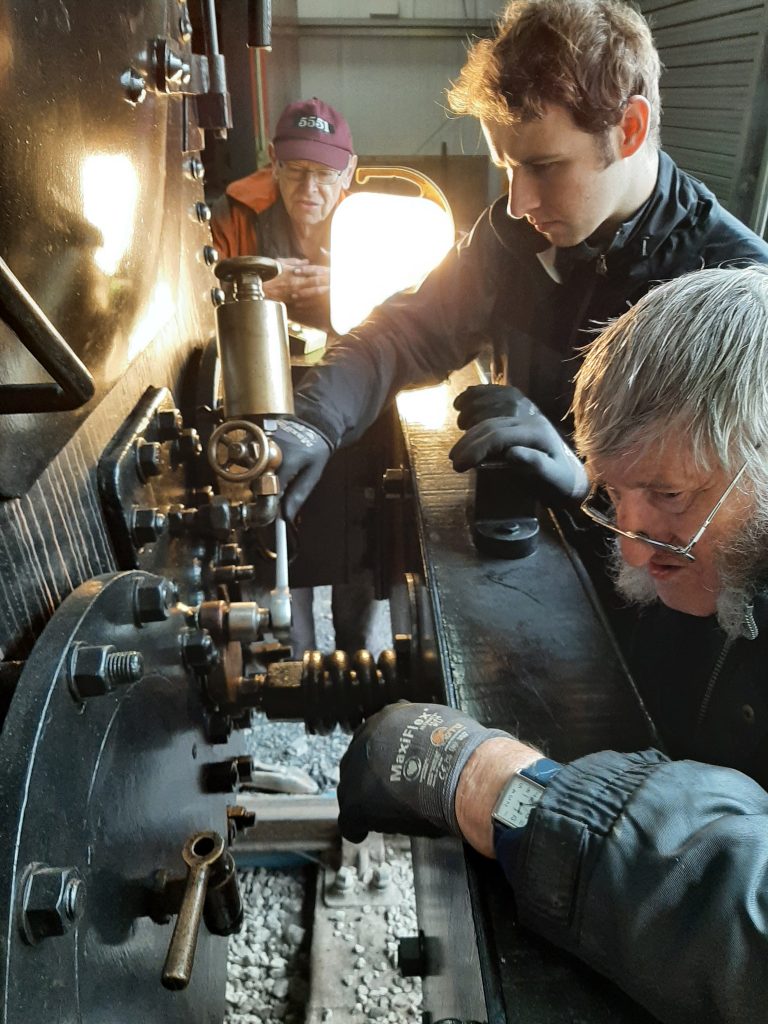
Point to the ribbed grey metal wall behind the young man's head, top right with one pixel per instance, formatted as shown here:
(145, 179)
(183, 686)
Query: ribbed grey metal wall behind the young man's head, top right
(712, 92)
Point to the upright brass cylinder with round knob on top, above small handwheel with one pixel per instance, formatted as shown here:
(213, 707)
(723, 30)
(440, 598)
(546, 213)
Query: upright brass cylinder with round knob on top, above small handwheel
(253, 342)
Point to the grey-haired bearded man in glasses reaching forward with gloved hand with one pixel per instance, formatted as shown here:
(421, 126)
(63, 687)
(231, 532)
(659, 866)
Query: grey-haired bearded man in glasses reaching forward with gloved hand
(652, 869)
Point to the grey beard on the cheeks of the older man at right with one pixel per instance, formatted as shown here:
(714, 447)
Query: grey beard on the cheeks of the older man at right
(742, 570)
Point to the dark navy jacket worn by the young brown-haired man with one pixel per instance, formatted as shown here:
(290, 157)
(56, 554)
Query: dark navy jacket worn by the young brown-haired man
(493, 288)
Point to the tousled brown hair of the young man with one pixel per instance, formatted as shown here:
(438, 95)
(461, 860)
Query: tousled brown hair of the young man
(587, 56)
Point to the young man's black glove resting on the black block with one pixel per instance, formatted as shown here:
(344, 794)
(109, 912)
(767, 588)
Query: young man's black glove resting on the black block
(503, 425)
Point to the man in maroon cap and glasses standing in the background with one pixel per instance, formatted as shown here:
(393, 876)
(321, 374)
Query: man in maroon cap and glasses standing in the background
(284, 211)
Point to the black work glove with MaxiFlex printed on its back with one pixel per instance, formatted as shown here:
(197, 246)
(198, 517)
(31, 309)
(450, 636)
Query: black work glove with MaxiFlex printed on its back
(402, 770)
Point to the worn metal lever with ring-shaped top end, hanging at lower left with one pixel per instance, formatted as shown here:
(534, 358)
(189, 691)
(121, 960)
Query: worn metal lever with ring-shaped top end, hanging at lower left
(201, 854)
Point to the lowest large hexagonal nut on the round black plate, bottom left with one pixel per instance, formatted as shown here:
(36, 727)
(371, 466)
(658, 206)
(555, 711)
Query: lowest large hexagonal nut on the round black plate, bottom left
(54, 900)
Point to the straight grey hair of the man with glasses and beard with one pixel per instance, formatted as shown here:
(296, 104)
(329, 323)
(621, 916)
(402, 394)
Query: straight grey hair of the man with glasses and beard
(690, 361)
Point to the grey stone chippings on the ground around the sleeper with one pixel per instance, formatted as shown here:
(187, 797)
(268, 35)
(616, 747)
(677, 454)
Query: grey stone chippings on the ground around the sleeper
(269, 960)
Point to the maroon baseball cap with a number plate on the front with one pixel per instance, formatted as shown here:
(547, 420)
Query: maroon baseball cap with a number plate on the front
(313, 131)
